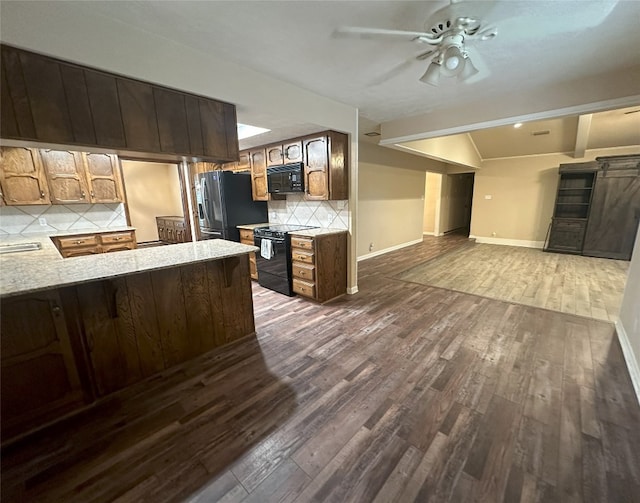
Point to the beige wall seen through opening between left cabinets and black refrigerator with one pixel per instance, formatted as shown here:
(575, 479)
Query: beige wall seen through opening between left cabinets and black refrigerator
(153, 190)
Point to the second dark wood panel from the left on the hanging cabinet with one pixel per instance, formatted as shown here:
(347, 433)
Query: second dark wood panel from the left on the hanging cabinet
(47, 98)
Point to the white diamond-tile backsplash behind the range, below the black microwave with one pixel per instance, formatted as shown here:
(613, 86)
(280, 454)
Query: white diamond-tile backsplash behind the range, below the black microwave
(296, 210)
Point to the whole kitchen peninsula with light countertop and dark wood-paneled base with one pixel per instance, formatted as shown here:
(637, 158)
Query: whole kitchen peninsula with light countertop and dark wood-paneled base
(77, 329)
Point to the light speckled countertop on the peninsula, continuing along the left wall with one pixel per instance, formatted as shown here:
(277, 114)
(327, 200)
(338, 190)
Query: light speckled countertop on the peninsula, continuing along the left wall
(42, 269)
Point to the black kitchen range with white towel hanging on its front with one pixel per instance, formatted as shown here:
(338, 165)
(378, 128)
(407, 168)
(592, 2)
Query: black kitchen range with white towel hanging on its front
(274, 258)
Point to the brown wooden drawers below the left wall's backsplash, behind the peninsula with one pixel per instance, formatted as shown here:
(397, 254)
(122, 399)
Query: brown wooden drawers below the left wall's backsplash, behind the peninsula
(90, 244)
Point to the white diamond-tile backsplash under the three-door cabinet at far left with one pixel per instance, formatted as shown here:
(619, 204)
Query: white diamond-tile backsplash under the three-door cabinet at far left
(27, 219)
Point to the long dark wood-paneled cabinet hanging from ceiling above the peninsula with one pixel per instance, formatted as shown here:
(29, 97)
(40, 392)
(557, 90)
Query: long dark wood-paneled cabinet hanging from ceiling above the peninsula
(52, 101)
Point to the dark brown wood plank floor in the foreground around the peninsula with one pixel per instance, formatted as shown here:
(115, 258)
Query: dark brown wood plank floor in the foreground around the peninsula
(402, 392)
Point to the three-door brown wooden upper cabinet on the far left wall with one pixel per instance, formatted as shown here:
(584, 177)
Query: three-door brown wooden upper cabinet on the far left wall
(43, 176)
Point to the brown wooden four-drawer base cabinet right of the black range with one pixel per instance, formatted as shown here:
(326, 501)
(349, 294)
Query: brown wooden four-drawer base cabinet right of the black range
(319, 265)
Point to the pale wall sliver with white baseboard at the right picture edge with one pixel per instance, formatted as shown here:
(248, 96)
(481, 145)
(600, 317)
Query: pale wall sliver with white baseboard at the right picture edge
(628, 325)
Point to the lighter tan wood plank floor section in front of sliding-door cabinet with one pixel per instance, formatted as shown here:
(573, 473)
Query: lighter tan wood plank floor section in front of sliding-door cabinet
(586, 286)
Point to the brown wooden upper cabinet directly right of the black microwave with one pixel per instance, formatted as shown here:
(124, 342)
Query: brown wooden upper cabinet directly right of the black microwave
(325, 158)
